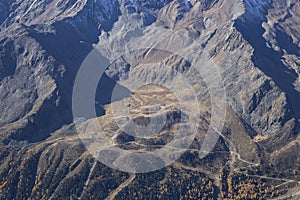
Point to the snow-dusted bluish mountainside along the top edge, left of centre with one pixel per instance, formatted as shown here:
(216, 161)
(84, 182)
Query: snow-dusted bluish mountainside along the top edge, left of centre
(44, 11)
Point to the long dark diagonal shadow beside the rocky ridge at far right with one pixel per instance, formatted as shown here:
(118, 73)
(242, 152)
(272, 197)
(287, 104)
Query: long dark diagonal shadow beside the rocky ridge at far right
(270, 62)
